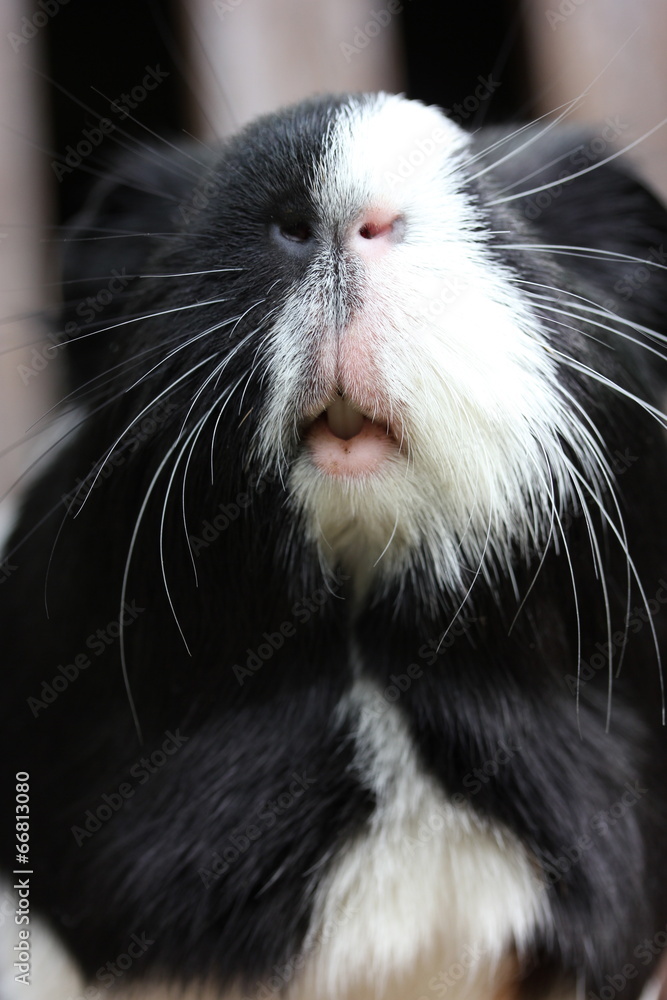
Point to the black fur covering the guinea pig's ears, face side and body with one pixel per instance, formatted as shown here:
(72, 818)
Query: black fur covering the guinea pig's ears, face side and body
(151, 867)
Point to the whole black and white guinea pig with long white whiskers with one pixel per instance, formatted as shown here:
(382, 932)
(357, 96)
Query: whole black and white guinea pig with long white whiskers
(331, 640)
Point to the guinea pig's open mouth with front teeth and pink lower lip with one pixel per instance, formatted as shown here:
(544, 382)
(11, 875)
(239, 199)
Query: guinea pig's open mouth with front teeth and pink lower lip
(343, 441)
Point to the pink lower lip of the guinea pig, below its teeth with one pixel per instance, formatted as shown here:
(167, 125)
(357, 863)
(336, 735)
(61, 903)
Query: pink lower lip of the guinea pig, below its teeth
(353, 457)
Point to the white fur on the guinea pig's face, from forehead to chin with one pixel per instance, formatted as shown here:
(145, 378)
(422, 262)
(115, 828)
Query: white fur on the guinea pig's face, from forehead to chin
(460, 358)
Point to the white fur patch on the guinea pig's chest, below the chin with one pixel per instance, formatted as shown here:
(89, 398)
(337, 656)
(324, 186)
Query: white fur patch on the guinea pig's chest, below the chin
(428, 884)
